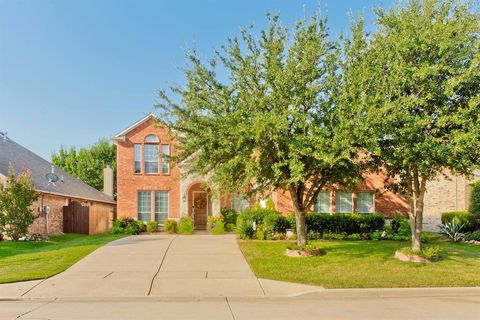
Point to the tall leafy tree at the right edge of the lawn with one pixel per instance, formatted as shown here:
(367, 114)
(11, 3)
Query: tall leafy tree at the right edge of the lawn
(423, 95)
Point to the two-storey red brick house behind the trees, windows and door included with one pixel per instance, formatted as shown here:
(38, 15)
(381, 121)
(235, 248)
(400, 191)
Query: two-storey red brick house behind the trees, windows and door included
(150, 187)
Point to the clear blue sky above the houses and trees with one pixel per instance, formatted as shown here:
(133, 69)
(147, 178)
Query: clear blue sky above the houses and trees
(73, 72)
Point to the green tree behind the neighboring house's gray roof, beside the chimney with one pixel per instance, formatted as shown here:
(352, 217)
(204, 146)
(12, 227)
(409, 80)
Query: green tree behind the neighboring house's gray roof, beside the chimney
(87, 164)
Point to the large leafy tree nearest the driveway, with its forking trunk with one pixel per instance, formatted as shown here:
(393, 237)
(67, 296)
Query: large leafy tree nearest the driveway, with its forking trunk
(274, 123)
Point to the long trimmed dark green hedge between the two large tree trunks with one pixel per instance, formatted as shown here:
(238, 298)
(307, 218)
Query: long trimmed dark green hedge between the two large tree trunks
(344, 223)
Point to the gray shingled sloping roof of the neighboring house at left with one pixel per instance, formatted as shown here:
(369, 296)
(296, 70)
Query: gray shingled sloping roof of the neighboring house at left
(11, 153)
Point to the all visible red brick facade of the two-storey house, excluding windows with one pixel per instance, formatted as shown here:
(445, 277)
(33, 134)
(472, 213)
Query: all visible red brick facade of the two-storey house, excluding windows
(130, 183)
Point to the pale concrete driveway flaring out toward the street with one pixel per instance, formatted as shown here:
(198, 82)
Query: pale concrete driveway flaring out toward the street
(159, 265)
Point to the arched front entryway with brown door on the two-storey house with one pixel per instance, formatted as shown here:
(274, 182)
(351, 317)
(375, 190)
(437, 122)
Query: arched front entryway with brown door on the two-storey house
(199, 205)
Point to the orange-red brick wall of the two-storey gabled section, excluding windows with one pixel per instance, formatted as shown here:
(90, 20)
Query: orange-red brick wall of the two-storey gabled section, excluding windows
(129, 183)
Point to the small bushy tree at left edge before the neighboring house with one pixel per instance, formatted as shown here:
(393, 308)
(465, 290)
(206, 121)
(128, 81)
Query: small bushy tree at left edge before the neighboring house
(16, 197)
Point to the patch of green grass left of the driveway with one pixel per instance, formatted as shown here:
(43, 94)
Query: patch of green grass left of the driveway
(20, 261)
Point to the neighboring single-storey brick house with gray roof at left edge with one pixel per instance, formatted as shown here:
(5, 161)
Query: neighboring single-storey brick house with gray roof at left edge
(87, 210)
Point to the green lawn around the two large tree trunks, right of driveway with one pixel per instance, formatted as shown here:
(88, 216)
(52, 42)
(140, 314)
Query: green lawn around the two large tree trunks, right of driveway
(365, 264)
